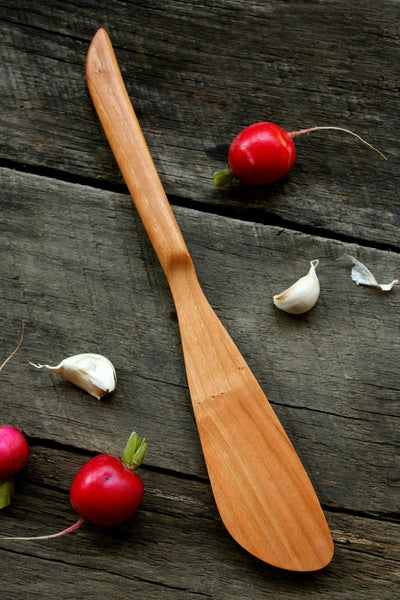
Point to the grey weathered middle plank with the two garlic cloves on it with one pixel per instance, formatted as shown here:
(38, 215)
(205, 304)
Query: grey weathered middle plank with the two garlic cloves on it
(77, 267)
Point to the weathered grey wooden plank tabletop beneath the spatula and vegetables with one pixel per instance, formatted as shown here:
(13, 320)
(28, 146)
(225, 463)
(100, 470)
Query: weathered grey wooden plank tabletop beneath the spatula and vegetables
(78, 269)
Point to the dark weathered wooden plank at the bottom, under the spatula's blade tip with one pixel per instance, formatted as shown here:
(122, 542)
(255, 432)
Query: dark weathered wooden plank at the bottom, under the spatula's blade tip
(174, 547)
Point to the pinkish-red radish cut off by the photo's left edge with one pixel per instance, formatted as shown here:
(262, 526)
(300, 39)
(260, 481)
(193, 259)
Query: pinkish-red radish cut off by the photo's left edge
(14, 454)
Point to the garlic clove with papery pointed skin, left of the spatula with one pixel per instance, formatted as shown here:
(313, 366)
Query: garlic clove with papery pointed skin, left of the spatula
(93, 373)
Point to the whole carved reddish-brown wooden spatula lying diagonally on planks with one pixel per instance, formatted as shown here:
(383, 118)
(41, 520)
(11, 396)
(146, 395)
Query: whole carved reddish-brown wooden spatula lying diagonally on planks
(261, 489)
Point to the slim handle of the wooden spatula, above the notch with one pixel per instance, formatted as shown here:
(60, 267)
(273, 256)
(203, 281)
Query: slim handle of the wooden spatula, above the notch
(131, 152)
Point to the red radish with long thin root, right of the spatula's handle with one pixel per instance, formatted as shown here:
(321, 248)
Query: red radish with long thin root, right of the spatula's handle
(264, 152)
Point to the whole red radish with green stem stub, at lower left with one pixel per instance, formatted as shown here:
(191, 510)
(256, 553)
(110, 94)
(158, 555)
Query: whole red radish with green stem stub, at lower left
(106, 490)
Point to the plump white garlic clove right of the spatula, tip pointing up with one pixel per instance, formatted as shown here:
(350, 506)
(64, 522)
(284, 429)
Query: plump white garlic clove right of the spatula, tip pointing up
(302, 295)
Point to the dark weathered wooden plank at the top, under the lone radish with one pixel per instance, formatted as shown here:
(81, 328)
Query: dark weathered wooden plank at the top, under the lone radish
(197, 77)
